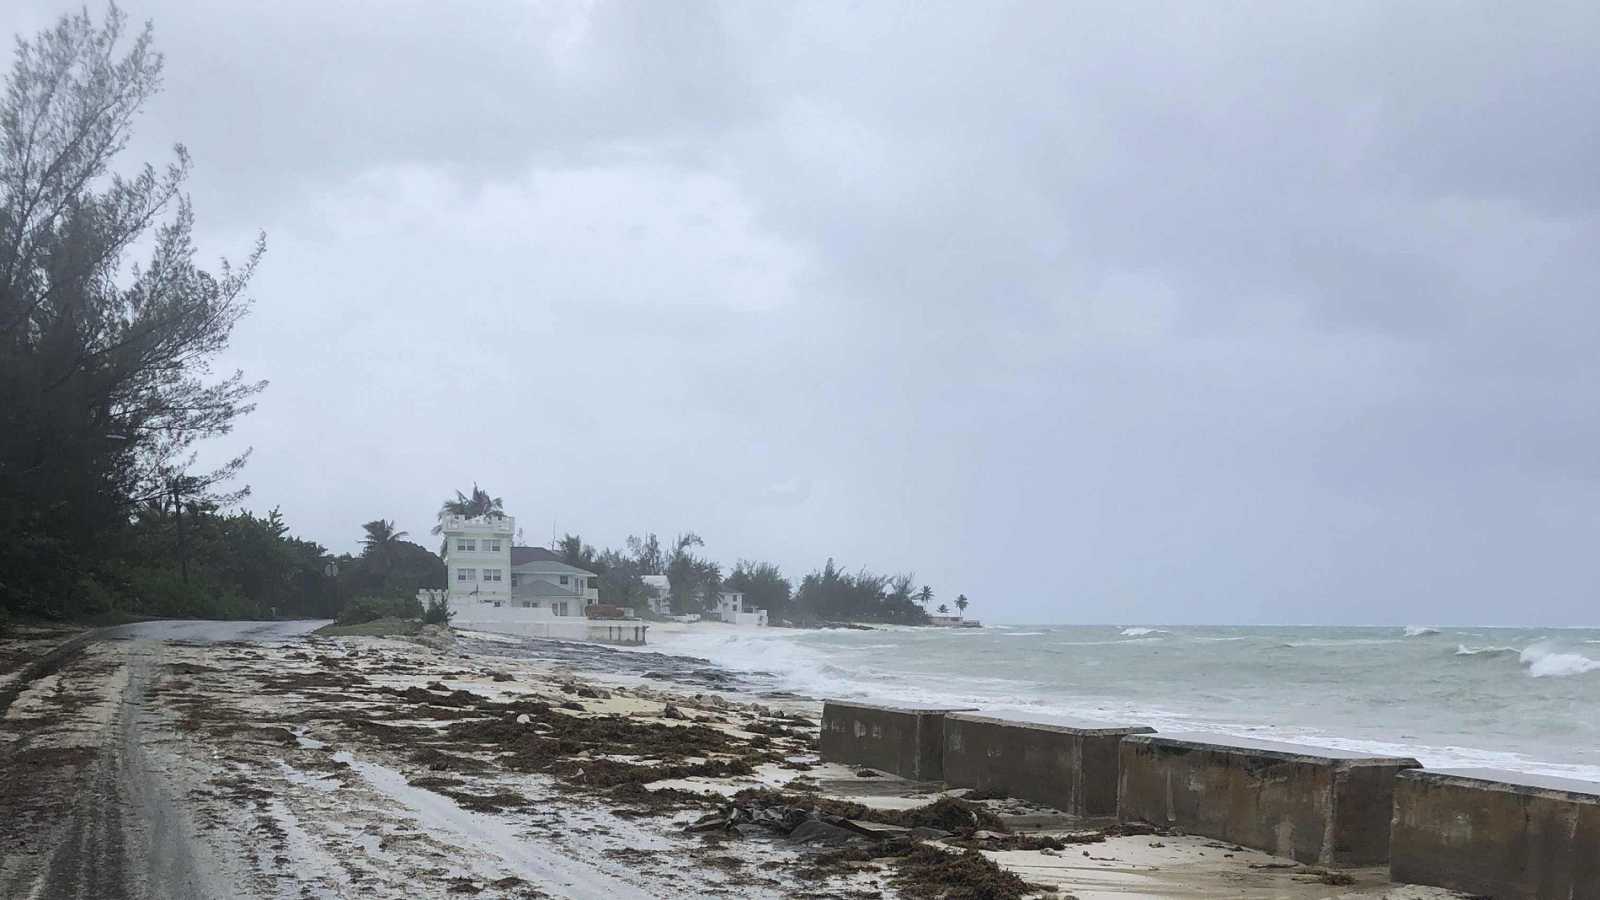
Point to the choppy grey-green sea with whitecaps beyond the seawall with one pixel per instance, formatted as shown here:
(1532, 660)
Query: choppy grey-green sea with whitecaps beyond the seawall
(1500, 697)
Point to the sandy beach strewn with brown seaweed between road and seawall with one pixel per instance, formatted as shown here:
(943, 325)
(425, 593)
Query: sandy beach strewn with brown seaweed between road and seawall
(383, 768)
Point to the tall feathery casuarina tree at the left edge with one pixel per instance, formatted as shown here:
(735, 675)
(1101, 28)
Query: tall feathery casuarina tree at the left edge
(105, 364)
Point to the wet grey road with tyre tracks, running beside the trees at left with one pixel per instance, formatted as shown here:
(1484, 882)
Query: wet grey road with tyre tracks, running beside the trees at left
(129, 837)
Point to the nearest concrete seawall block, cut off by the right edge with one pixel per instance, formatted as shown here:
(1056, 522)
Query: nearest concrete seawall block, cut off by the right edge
(1502, 835)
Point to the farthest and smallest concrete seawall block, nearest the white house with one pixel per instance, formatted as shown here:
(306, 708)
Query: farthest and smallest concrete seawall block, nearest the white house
(905, 741)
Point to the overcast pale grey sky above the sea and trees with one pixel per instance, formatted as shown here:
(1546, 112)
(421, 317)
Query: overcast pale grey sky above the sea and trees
(1121, 313)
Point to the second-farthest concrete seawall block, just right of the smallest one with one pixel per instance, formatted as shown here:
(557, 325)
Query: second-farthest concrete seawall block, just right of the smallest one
(1065, 765)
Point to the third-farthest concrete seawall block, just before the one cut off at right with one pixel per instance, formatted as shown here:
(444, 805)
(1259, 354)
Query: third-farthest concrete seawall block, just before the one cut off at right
(1306, 803)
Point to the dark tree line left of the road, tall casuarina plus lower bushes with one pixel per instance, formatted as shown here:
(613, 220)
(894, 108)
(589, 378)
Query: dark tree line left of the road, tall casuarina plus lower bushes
(106, 385)
